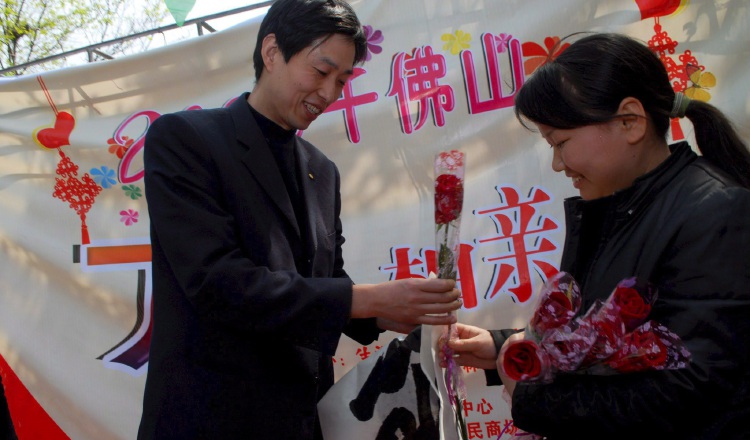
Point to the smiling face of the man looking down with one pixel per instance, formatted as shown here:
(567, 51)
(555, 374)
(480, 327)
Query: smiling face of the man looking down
(301, 89)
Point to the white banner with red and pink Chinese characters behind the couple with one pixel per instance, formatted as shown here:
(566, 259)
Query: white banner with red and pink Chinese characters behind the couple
(74, 238)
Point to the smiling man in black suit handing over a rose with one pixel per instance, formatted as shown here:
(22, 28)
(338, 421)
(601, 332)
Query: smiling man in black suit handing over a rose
(250, 292)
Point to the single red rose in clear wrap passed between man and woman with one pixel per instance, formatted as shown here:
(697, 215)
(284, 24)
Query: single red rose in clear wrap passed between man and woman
(449, 196)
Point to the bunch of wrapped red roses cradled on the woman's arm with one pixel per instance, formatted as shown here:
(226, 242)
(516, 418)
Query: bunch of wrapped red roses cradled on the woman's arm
(613, 336)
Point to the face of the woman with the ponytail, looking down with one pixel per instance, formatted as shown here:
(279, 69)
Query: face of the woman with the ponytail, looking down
(597, 157)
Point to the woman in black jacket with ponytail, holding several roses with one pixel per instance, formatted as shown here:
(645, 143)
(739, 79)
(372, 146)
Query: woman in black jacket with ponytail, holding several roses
(647, 209)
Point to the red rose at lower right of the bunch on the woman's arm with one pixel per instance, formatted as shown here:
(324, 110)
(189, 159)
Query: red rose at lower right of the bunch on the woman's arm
(642, 350)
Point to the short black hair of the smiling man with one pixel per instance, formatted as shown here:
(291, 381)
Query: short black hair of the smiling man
(299, 24)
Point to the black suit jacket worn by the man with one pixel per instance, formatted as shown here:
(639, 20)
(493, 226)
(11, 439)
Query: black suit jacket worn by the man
(242, 343)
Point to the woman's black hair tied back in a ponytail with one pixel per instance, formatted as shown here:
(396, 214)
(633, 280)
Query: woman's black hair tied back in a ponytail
(585, 84)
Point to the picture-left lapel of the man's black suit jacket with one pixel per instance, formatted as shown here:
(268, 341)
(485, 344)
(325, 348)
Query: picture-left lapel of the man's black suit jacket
(259, 159)
